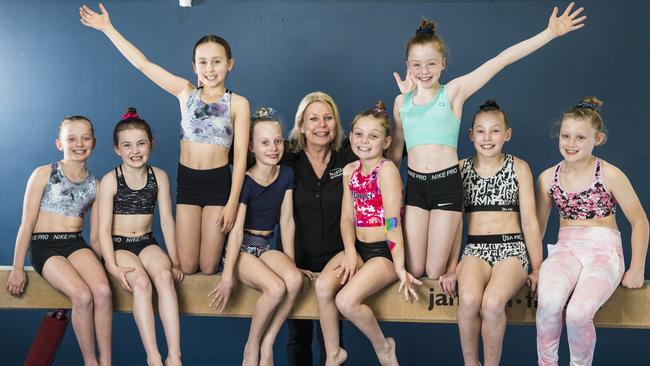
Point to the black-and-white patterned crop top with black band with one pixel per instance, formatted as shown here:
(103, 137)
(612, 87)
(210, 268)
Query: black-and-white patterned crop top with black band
(499, 192)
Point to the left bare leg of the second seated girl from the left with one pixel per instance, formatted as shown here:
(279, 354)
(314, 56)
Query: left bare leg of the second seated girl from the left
(142, 304)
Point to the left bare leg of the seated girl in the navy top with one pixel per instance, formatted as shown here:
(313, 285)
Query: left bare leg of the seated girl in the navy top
(254, 273)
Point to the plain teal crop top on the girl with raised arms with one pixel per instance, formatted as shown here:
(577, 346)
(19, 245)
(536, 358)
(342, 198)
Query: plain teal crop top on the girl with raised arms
(431, 123)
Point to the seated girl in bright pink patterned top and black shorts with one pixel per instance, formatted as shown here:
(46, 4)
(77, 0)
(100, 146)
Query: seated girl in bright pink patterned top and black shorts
(371, 229)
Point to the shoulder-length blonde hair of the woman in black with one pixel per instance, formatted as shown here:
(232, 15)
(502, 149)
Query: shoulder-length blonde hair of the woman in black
(297, 140)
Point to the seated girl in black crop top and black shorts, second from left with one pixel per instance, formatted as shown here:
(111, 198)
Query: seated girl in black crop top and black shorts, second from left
(131, 254)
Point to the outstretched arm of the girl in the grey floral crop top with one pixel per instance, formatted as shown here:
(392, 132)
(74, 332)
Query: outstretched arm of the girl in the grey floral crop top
(101, 21)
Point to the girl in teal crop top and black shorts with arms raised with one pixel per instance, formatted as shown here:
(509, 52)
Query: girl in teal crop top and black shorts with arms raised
(427, 119)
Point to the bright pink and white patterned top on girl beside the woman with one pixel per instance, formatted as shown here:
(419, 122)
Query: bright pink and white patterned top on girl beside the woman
(368, 204)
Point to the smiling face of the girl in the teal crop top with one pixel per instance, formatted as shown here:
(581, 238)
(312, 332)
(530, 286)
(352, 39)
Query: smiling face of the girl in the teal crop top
(425, 62)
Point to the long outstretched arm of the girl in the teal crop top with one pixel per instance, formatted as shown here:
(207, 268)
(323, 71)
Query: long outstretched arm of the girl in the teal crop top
(462, 88)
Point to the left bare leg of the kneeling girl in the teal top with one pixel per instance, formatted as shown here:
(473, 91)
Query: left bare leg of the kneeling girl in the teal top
(416, 224)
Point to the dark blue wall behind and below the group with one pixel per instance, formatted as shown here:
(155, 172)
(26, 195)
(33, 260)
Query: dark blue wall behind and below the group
(52, 66)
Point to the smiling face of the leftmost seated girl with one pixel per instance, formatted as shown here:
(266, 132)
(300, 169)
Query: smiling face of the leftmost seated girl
(76, 140)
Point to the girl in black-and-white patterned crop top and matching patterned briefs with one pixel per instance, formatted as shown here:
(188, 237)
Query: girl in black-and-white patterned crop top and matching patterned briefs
(503, 233)
